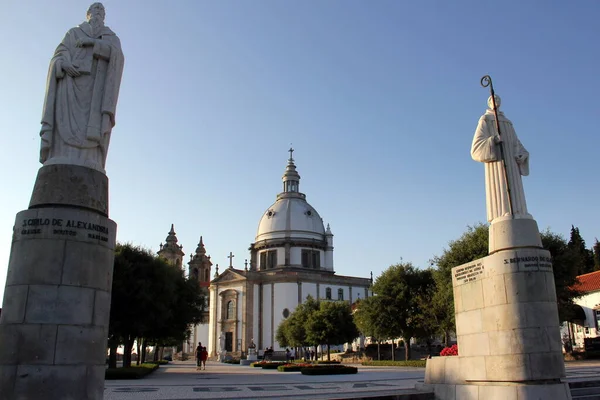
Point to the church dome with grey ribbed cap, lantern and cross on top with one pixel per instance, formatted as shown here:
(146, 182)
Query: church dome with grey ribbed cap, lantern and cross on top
(290, 216)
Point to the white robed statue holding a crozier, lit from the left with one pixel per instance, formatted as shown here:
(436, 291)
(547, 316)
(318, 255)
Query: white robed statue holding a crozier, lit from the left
(486, 149)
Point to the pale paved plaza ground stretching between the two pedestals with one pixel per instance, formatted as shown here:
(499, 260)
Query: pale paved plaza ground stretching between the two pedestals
(180, 380)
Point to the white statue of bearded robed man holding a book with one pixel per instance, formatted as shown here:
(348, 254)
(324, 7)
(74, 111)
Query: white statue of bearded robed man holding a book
(81, 94)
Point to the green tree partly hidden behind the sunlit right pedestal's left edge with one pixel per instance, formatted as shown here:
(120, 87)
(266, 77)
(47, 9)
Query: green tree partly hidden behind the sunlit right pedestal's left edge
(472, 244)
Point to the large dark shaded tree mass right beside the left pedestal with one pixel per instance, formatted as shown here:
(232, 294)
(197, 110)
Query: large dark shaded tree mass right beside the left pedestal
(151, 300)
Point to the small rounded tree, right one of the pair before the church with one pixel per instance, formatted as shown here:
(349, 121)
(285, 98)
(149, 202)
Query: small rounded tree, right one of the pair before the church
(331, 324)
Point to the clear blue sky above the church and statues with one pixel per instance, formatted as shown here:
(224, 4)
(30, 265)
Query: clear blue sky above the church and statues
(380, 100)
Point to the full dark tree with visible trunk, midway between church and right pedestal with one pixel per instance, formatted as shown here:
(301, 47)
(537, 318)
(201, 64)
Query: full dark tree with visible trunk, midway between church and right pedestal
(402, 290)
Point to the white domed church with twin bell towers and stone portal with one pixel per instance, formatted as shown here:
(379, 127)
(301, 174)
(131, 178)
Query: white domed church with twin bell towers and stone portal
(290, 259)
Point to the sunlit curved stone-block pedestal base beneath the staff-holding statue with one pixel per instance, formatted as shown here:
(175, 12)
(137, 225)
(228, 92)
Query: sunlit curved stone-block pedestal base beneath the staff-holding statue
(507, 330)
